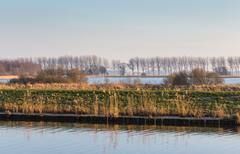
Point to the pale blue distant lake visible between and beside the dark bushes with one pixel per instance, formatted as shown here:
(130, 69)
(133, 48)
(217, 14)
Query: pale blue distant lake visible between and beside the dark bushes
(145, 80)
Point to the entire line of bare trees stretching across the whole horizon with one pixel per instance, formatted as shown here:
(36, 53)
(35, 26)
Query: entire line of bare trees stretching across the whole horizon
(134, 66)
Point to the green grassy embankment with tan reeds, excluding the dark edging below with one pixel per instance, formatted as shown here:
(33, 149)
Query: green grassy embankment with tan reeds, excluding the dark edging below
(130, 102)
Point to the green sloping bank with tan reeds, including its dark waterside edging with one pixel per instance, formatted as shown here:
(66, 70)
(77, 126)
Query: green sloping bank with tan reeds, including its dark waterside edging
(117, 106)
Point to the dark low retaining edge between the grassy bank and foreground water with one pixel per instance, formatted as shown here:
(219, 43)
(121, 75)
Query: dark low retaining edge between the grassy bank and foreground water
(122, 120)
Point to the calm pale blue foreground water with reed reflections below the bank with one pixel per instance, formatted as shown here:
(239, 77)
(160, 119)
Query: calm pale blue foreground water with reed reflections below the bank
(60, 138)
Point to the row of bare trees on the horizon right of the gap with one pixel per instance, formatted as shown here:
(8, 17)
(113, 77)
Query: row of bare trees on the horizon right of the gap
(169, 65)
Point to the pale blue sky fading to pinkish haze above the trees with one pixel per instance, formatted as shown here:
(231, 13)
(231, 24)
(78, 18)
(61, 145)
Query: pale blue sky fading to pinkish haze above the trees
(119, 29)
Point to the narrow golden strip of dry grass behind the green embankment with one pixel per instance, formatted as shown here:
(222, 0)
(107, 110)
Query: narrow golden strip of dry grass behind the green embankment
(119, 86)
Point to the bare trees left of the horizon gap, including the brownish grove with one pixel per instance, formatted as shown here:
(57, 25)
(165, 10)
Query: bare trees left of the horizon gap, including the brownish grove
(30, 66)
